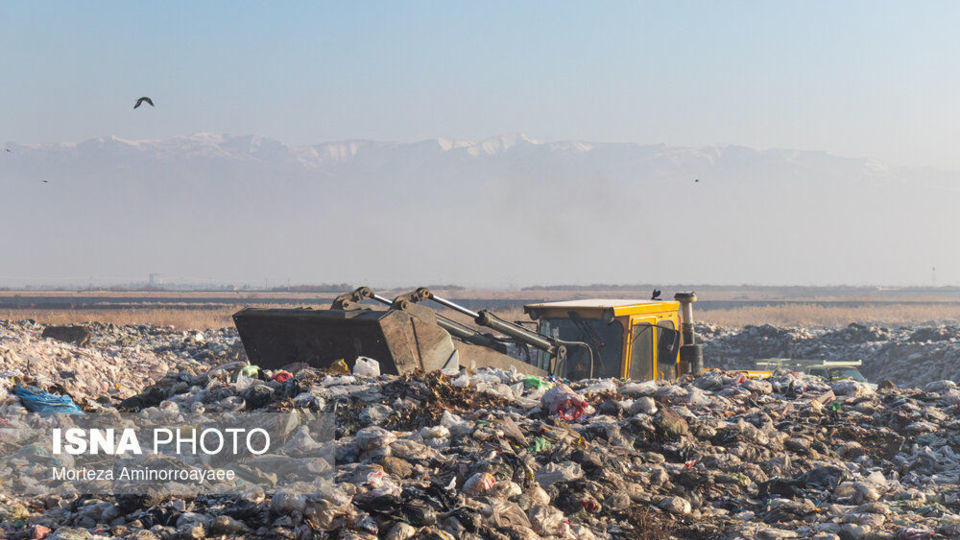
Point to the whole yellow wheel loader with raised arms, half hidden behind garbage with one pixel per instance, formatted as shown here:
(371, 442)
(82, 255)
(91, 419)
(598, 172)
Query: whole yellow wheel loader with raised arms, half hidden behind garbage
(576, 339)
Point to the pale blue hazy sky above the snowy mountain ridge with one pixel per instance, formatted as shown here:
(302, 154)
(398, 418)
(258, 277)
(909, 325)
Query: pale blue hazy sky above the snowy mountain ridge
(872, 79)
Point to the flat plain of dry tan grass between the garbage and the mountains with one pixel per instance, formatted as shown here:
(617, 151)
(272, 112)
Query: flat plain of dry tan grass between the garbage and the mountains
(201, 310)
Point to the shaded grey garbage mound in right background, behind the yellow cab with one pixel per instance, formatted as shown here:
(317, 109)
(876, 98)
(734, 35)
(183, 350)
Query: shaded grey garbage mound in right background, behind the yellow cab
(909, 356)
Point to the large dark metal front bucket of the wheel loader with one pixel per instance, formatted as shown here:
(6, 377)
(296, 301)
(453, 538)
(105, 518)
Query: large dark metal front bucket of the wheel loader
(400, 342)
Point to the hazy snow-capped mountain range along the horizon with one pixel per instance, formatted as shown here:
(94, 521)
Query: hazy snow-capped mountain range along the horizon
(507, 210)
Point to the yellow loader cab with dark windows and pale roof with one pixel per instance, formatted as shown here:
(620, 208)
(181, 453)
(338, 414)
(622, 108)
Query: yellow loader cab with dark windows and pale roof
(633, 339)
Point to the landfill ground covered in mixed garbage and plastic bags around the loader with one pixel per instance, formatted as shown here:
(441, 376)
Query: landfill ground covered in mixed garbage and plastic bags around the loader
(497, 454)
